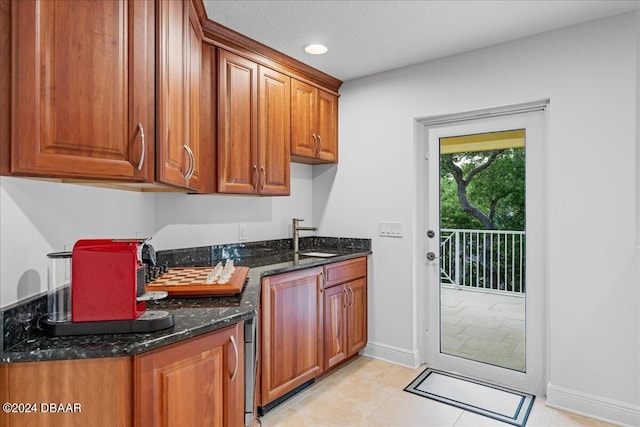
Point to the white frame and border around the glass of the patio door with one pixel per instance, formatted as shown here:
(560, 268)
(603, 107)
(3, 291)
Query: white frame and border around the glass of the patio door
(531, 115)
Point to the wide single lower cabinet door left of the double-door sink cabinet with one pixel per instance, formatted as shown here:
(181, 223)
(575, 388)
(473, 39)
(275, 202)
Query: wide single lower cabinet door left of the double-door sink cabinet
(291, 350)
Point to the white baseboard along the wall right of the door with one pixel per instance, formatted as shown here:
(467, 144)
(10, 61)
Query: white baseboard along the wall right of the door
(593, 406)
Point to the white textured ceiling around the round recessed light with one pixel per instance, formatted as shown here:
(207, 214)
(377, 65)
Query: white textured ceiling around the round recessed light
(367, 37)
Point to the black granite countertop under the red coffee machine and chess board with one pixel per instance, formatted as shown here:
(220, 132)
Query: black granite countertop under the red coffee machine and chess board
(193, 316)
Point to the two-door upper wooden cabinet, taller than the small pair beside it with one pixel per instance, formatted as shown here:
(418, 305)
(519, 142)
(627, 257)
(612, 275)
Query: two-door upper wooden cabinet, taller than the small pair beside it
(253, 127)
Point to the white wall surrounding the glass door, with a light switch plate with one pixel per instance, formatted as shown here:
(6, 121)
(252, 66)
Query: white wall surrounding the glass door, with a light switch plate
(589, 72)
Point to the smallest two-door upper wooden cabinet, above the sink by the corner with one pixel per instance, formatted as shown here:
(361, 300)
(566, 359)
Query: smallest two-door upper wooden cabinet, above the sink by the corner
(314, 124)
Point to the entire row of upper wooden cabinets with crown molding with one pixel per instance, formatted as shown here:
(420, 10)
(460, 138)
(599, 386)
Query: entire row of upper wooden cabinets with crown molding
(152, 94)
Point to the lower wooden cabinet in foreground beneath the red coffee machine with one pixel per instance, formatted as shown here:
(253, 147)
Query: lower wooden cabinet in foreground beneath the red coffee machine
(195, 382)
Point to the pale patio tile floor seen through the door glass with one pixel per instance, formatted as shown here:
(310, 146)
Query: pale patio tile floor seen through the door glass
(483, 326)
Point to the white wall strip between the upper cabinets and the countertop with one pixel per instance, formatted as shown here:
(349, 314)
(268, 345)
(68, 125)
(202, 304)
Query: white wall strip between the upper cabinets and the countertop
(38, 217)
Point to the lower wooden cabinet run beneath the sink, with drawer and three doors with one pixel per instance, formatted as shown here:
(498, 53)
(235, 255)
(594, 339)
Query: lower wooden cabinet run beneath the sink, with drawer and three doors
(312, 320)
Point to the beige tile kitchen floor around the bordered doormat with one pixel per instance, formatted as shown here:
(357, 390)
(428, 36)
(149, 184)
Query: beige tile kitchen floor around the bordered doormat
(369, 392)
